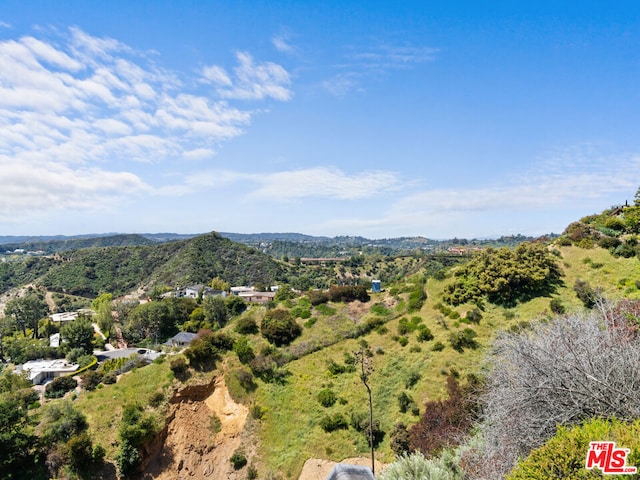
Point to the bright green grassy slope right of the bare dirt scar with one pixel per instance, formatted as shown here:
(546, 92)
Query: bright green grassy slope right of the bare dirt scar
(290, 433)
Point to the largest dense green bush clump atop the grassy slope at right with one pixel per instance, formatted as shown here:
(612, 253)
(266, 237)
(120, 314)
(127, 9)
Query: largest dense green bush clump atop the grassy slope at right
(505, 276)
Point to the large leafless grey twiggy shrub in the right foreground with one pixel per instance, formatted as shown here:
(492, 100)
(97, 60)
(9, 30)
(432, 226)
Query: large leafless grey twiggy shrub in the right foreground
(561, 372)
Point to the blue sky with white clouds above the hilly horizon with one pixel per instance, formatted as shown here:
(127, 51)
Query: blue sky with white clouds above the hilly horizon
(383, 119)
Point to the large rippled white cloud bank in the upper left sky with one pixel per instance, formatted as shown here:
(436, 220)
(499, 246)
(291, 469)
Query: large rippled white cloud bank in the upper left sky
(73, 107)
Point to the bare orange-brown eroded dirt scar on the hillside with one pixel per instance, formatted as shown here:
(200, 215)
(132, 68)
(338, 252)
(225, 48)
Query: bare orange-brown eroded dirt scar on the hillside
(191, 450)
